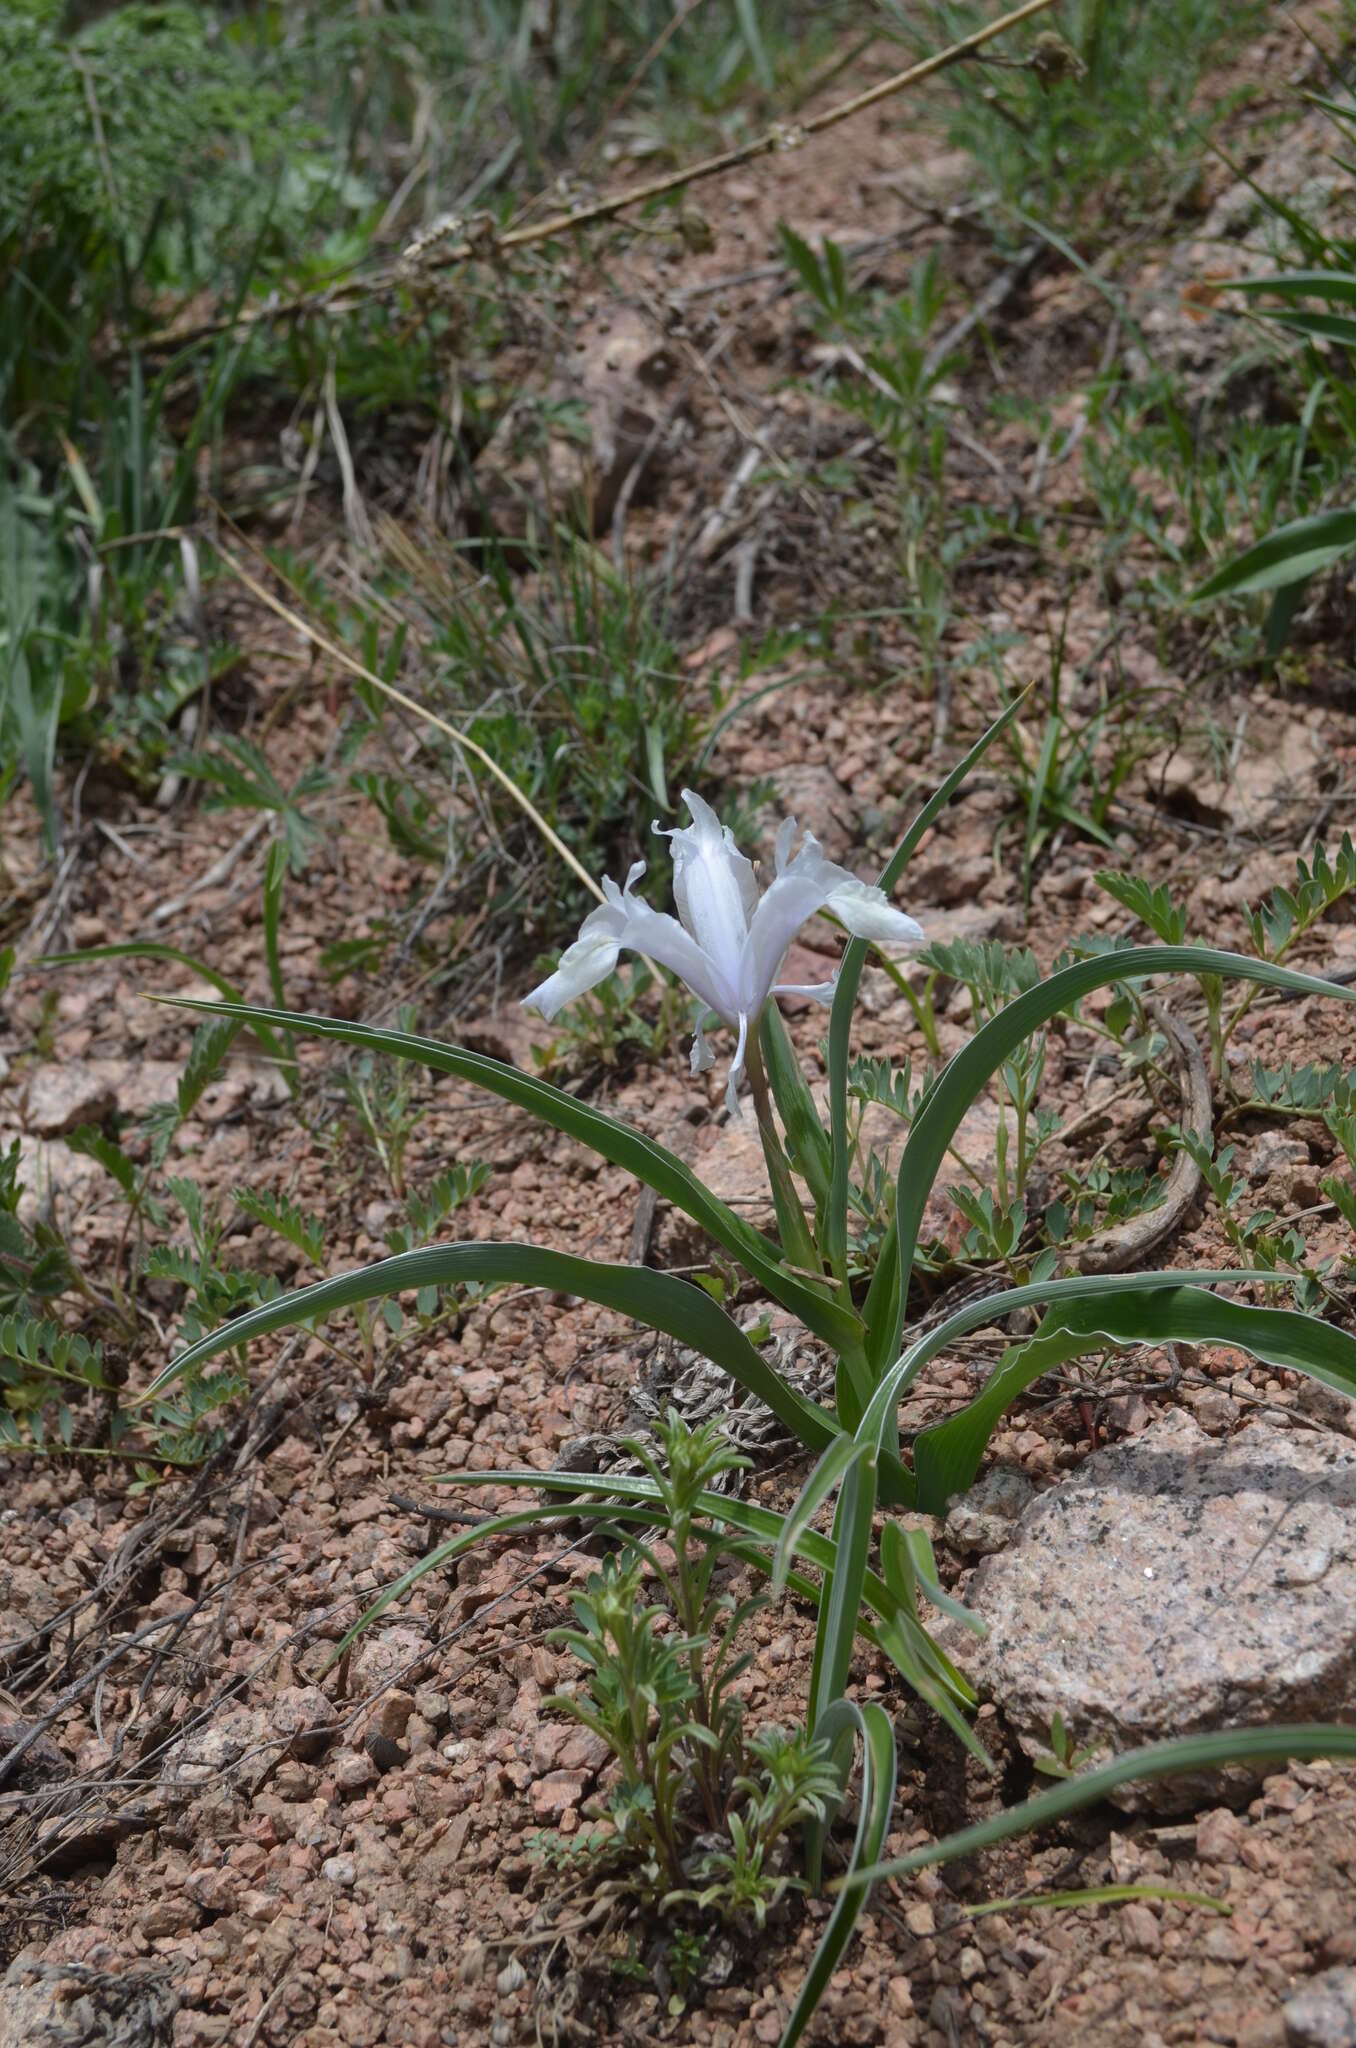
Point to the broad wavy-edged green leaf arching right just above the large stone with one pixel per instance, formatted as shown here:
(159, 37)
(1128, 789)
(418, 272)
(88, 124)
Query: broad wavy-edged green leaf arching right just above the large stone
(947, 1457)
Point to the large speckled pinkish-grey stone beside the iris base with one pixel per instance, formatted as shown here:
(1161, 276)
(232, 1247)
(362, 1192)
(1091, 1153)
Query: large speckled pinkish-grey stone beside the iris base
(1175, 1586)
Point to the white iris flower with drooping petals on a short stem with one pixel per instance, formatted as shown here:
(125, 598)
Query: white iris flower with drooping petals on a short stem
(730, 941)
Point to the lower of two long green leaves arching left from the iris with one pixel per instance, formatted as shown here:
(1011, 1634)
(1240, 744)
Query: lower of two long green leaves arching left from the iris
(663, 1302)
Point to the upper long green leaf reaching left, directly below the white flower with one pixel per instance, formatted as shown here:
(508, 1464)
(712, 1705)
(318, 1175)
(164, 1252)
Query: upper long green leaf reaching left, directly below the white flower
(611, 1140)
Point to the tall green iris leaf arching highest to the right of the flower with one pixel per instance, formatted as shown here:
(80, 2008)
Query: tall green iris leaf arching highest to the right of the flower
(968, 1074)
